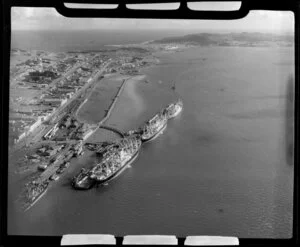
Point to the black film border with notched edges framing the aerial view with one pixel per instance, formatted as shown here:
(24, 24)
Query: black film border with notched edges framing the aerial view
(122, 12)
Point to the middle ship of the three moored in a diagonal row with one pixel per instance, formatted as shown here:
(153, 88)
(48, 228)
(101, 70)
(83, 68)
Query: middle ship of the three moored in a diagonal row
(154, 127)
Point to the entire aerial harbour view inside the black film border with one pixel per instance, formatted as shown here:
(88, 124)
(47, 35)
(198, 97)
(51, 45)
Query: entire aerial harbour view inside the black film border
(131, 126)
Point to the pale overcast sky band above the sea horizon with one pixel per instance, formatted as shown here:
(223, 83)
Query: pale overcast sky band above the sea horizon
(50, 19)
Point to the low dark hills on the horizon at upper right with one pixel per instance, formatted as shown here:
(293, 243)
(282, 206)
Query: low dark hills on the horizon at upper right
(244, 38)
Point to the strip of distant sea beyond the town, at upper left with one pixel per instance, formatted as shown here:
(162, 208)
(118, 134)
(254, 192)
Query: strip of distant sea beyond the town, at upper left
(61, 41)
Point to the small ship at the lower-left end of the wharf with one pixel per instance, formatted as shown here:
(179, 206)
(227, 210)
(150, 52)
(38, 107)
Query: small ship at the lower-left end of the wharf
(35, 192)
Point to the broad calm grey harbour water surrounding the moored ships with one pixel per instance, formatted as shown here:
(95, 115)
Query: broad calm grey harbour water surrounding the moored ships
(220, 168)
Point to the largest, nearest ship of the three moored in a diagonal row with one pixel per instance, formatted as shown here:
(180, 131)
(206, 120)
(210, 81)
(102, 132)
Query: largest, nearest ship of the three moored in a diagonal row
(116, 159)
